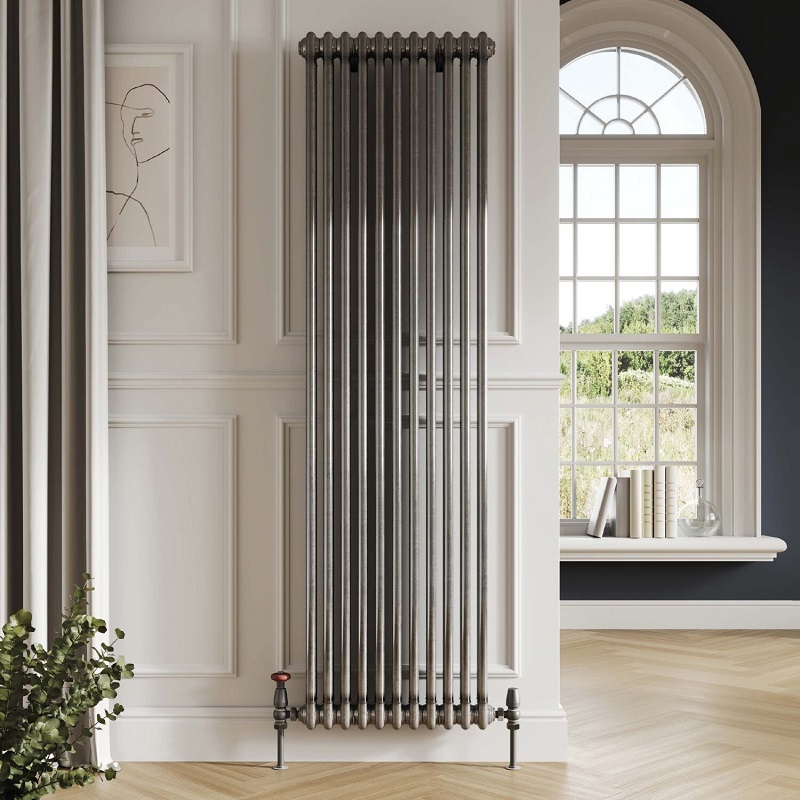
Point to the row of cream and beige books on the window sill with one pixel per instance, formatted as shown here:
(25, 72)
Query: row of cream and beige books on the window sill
(639, 504)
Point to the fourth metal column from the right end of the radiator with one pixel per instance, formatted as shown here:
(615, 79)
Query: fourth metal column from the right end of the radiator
(430, 374)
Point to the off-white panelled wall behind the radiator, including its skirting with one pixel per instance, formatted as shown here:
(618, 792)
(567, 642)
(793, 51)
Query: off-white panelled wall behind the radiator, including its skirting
(207, 394)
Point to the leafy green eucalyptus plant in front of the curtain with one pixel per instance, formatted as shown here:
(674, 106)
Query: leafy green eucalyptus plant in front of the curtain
(45, 695)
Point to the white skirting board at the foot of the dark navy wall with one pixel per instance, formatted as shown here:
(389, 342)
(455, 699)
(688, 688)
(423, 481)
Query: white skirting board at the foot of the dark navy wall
(680, 614)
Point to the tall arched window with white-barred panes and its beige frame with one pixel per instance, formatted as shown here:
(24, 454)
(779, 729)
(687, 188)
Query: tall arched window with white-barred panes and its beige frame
(647, 225)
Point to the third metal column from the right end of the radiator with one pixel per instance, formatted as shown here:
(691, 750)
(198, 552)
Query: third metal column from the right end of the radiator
(447, 369)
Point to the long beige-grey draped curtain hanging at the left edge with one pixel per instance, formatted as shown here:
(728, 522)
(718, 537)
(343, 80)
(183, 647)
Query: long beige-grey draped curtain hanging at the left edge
(53, 301)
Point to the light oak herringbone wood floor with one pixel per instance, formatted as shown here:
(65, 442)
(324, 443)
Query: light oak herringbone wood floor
(654, 715)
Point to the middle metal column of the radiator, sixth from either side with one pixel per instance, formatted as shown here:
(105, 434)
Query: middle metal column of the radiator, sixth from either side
(397, 383)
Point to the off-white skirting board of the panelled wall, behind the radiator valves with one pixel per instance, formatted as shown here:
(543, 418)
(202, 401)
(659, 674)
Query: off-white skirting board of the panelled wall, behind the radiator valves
(246, 734)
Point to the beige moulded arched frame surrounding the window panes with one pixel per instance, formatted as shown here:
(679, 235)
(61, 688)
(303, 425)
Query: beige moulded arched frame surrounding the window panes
(730, 450)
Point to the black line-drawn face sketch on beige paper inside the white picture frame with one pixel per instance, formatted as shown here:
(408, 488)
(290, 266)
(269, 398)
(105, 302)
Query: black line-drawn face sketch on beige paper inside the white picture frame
(137, 195)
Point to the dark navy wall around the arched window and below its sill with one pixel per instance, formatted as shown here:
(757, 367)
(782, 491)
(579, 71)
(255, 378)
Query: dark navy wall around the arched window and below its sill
(770, 47)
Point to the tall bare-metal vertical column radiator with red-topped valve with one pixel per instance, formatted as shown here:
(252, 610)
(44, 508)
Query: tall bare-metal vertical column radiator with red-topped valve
(396, 516)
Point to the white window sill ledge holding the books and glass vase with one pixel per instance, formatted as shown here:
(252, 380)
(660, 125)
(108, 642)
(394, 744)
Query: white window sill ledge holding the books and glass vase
(712, 548)
